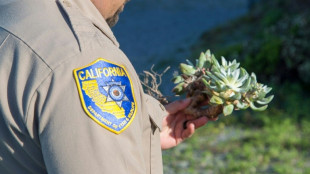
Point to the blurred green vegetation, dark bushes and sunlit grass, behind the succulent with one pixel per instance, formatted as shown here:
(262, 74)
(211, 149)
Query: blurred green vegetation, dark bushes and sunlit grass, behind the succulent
(273, 41)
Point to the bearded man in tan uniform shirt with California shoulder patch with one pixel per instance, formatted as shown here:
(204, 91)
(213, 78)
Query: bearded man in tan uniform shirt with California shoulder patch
(71, 101)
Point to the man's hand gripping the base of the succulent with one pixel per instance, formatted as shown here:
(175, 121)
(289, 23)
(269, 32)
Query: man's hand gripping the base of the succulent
(178, 126)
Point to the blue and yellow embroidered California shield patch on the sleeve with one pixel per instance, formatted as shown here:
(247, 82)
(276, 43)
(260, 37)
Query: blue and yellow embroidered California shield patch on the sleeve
(106, 94)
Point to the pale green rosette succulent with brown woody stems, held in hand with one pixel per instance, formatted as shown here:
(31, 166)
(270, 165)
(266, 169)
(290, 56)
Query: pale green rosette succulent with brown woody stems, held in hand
(224, 87)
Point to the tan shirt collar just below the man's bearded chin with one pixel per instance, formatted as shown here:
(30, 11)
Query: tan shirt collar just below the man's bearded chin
(89, 10)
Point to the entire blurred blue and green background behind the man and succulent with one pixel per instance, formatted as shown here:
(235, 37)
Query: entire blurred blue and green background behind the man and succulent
(268, 37)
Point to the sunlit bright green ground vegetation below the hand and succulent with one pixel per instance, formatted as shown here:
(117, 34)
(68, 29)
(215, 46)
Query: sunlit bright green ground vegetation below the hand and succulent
(273, 148)
